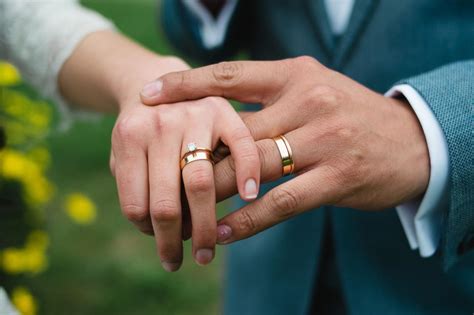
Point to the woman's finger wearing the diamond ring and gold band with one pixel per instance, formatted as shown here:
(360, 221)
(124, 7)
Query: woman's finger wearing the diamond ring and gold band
(198, 179)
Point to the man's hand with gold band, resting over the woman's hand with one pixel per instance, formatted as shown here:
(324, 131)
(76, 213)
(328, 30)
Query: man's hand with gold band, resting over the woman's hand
(351, 146)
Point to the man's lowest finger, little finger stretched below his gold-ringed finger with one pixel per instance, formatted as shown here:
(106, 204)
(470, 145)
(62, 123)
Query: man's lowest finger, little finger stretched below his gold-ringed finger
(304, 192)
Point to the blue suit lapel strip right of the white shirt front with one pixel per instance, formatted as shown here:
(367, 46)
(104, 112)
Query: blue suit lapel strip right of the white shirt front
(360, 16)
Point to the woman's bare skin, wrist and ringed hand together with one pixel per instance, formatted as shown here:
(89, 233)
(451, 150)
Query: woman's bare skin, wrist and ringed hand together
(148, 142)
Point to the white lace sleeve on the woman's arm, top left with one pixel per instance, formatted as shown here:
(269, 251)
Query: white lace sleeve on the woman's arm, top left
(39, 36)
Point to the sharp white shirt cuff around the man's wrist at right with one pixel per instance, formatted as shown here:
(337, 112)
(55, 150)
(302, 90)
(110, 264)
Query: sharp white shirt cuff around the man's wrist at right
(422, 219)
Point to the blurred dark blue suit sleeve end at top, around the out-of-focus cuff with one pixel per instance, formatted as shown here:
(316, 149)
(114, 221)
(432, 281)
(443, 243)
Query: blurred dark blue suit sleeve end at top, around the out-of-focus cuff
(182, 28)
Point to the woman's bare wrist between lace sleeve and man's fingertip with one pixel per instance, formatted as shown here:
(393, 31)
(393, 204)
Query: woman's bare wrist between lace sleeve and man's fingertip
(107, 70)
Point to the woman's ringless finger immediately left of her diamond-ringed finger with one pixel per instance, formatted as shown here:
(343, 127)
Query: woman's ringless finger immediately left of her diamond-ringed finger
(165, 200)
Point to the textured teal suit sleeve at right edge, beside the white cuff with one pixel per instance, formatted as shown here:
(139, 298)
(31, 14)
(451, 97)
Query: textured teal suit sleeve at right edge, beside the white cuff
(449, 91)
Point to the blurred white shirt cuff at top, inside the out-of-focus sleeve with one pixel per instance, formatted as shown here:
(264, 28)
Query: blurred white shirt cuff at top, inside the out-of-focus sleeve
(212, 30)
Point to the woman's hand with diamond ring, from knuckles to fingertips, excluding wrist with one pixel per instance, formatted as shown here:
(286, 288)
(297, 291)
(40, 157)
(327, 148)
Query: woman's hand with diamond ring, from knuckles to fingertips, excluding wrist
(147, 146)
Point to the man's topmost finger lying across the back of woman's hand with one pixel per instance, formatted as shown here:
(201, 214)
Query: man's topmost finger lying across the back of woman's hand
(245, 81)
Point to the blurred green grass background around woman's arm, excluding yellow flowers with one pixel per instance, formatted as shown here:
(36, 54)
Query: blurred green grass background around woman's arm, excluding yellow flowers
(109, 267)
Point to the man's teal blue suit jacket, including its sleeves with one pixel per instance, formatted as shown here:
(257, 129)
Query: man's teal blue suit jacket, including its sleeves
(428, 44)
